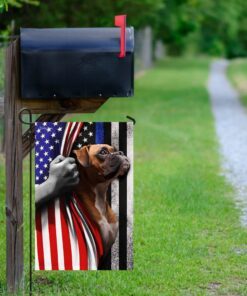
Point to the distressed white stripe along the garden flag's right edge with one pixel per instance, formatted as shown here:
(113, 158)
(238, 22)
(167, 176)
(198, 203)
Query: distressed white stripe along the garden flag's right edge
(130, 155)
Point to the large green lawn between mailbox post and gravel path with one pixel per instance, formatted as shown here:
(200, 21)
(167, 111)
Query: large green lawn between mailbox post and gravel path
(187, 235)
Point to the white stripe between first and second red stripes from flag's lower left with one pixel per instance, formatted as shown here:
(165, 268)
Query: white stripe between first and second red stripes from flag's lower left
(46, 239)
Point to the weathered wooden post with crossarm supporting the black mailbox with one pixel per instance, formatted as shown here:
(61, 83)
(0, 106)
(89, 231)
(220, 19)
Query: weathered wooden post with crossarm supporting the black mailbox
(17, 147)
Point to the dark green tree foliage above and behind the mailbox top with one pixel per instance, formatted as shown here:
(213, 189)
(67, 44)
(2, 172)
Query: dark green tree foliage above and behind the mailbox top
(78, 13)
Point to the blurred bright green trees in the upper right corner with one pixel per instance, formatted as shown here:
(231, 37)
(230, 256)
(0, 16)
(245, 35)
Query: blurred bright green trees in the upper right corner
(212, 27)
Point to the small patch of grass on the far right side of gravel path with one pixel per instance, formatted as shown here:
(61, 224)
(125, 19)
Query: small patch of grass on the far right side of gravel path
(238, 74)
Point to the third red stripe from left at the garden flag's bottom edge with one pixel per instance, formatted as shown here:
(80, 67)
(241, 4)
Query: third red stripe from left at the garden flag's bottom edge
(66, 238)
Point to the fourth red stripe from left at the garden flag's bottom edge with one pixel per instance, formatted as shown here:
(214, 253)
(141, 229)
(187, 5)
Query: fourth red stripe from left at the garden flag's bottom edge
(81, 238)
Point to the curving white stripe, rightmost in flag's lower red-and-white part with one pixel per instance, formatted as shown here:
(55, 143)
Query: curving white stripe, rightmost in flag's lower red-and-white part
(91, 246)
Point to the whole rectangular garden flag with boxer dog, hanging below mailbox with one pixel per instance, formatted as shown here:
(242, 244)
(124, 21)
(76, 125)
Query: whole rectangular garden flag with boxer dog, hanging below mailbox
(87, 225)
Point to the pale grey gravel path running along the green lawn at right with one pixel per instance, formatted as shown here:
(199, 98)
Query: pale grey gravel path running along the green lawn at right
(231, 128)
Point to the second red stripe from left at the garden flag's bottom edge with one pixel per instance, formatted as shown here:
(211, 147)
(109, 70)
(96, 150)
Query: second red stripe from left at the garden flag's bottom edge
(53, 235)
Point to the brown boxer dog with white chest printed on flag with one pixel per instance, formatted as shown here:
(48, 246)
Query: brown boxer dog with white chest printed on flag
(98, 166)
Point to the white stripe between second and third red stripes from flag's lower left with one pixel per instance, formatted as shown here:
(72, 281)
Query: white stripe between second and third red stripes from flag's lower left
(60, 253)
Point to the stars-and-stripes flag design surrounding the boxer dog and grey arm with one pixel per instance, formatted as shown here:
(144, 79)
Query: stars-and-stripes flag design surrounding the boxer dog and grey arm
(59, 242)
